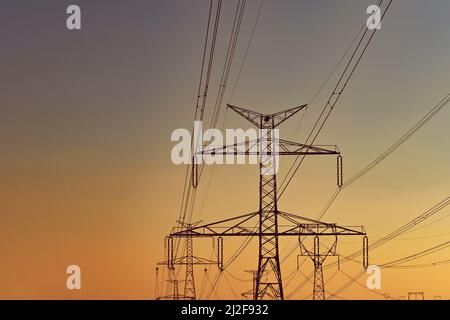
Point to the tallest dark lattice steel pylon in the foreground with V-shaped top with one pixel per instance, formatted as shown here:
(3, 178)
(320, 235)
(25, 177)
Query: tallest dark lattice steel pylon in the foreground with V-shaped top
(268, 147)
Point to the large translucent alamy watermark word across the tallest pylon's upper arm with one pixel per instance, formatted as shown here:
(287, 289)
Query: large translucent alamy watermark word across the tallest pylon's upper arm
(236, 146)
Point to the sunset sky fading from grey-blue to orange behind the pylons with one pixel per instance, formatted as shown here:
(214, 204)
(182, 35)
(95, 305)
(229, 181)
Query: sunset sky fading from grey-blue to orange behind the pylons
(86, 118)
